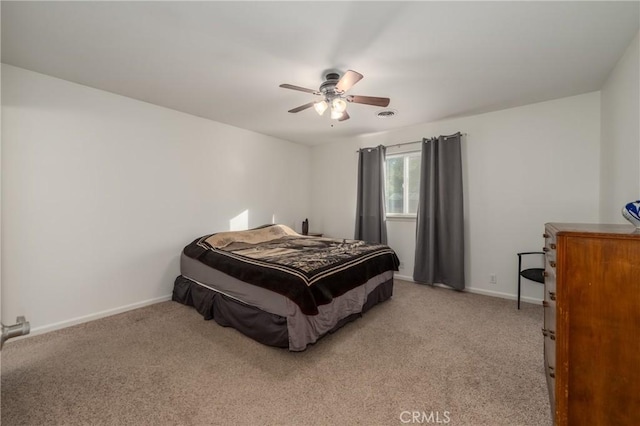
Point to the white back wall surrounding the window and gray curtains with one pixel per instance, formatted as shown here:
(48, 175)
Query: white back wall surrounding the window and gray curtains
(523, 167)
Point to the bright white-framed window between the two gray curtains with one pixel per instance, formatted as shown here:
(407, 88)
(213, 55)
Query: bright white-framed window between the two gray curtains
(402, 184)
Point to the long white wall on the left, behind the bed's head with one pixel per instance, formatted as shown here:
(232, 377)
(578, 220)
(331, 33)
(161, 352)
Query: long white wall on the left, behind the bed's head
(101, 192)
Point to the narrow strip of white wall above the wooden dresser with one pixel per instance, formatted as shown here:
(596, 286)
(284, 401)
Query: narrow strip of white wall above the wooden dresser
(620, 151)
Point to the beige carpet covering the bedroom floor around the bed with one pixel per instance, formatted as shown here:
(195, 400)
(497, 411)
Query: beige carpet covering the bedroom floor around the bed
(457, 357)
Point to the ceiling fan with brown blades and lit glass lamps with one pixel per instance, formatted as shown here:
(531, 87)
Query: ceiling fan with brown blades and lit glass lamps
(332, 93)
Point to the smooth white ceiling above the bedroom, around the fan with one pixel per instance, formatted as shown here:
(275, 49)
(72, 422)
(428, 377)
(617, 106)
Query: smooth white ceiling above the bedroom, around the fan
(225, 60)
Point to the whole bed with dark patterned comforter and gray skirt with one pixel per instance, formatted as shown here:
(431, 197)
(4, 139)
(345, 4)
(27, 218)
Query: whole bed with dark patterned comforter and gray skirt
(281, 288)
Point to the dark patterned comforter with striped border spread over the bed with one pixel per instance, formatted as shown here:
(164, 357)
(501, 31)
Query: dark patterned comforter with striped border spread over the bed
(310, 271)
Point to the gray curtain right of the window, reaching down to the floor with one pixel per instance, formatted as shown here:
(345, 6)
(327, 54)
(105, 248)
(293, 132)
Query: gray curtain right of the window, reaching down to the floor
(440, 219)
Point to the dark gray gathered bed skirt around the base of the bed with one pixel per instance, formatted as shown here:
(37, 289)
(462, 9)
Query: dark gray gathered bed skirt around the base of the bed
(264, 327)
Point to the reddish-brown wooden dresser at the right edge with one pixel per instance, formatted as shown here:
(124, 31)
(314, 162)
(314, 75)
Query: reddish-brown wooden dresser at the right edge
(592, 323)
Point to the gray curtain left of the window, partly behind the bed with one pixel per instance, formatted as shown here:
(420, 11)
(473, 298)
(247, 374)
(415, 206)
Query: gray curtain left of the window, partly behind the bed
(371, 224)
